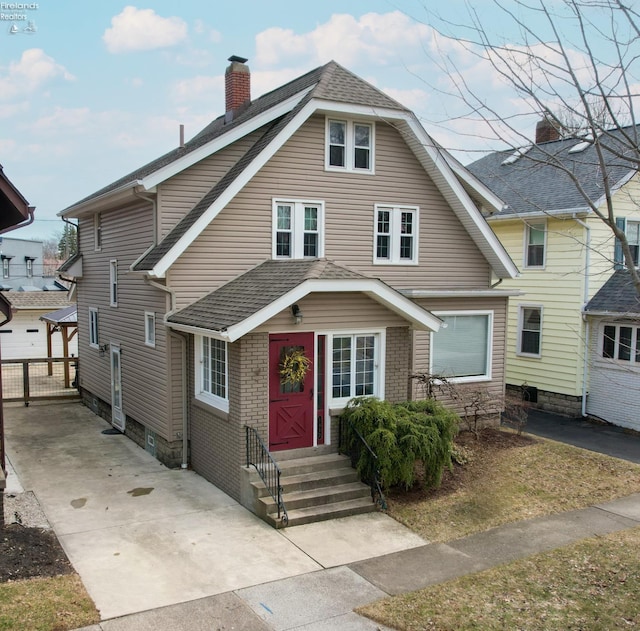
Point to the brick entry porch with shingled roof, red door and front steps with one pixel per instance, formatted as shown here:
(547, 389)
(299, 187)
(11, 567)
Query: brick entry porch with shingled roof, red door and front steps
(282, 349)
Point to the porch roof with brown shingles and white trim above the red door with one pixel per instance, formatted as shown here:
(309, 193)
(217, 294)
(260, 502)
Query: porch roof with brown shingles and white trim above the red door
(257, 295)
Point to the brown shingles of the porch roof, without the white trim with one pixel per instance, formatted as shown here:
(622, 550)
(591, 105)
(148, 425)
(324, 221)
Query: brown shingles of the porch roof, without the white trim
(247, 294)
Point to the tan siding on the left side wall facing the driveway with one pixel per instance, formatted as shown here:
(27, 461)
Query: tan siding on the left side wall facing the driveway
(126, 233)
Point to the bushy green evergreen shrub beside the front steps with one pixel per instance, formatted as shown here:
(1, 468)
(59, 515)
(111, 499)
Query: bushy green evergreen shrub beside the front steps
(405, 437)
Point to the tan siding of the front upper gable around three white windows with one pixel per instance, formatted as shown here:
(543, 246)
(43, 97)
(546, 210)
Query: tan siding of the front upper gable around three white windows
(447, 255)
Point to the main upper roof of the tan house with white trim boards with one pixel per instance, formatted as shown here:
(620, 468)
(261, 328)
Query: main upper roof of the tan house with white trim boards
(279, 114)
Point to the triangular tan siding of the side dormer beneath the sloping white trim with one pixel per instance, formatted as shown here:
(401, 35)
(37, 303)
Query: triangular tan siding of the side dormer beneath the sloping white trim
(181, 192)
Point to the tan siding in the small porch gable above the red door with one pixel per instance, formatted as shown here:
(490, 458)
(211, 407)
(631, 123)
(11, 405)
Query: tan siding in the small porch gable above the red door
(334, 311)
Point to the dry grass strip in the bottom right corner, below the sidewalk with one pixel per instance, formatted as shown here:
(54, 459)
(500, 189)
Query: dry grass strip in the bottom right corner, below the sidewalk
(593, 584)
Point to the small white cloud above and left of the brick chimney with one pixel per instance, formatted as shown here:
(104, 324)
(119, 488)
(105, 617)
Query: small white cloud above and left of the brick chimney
(143, 29)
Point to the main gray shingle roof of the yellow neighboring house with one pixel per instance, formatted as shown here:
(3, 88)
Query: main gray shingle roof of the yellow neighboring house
(538, 180)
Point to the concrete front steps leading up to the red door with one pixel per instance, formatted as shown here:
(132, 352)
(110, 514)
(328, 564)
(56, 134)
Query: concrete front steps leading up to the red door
(316, 488)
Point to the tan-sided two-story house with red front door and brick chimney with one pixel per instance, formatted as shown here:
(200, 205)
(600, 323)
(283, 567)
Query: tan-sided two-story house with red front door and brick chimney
(318, 220)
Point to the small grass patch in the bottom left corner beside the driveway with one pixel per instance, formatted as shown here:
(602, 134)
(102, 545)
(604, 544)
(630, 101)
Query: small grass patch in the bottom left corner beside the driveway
(46, 604)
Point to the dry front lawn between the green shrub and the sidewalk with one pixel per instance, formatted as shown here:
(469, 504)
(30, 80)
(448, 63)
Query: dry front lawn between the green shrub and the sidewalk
(509, 478)
